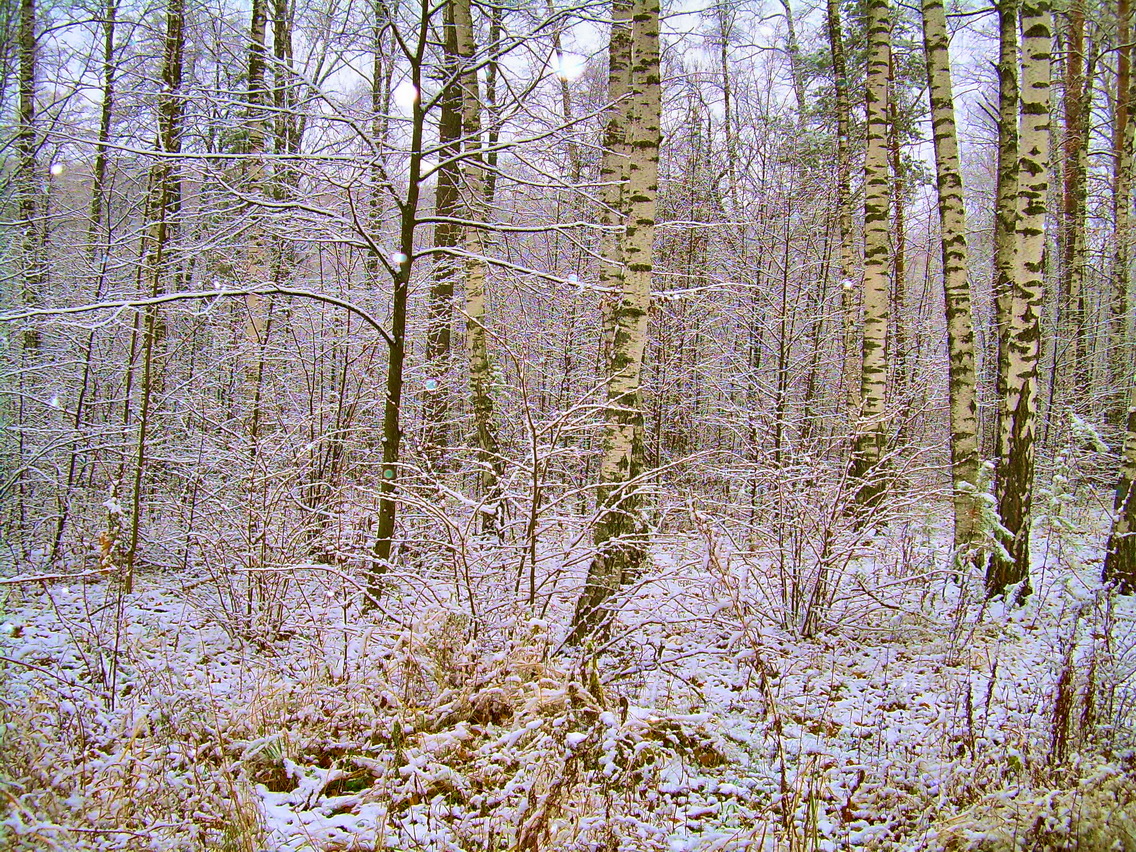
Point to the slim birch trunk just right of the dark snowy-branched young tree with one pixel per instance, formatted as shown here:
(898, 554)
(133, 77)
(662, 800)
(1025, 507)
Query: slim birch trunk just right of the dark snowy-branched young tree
(473, 203)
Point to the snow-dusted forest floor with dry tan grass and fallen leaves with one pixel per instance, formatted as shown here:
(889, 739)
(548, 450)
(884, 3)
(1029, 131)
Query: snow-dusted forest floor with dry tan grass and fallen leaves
(915, 716)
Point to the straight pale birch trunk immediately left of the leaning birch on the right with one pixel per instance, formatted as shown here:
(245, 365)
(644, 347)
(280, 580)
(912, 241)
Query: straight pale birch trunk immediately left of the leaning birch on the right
(872, 428)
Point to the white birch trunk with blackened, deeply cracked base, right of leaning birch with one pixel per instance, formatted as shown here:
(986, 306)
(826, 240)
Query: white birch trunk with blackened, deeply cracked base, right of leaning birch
(1020, 414)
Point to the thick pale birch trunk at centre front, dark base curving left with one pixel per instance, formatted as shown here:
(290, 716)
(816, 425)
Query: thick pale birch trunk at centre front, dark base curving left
(620, 533)
